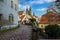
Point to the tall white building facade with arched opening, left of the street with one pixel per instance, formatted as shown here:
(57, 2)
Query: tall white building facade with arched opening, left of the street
(9, 11)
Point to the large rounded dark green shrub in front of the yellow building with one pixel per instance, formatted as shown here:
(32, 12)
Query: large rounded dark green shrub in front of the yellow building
(52, 30)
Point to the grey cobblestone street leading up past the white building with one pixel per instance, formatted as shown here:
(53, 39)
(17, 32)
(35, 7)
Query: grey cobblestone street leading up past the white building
(22, 33)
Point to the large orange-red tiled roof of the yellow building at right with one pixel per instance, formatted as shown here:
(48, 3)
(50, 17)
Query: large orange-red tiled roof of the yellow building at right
(49, 18)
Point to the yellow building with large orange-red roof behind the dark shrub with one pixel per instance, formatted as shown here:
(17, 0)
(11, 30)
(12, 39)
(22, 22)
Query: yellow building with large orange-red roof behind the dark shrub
(49, 18)
